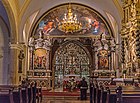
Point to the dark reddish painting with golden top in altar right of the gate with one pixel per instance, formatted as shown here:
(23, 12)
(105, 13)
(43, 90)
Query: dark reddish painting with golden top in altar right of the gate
(103, 60)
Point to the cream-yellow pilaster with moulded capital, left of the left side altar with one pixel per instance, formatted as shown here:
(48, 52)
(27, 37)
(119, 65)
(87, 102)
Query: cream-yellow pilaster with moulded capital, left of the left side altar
(15, 77)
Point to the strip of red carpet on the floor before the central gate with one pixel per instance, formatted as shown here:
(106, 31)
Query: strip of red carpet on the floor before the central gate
(47, 93)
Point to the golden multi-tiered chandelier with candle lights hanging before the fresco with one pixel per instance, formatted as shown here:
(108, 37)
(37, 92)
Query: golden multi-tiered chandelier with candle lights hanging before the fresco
(70, 23)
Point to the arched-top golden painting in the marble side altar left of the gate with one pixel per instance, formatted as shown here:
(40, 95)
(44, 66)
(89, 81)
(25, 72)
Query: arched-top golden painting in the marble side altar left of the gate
(40, 58)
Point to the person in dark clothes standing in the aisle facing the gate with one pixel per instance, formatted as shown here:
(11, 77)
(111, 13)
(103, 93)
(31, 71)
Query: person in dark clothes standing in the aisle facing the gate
(83, 89)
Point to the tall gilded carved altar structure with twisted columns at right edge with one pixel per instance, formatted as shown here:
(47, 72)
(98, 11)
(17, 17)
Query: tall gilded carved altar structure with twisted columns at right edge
(128, 34)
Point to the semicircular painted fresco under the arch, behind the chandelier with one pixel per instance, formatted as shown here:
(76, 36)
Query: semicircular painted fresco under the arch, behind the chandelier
(91, 22)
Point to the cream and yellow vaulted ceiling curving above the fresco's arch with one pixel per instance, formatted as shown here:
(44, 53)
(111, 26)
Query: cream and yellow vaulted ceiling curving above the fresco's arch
(23, 11)
